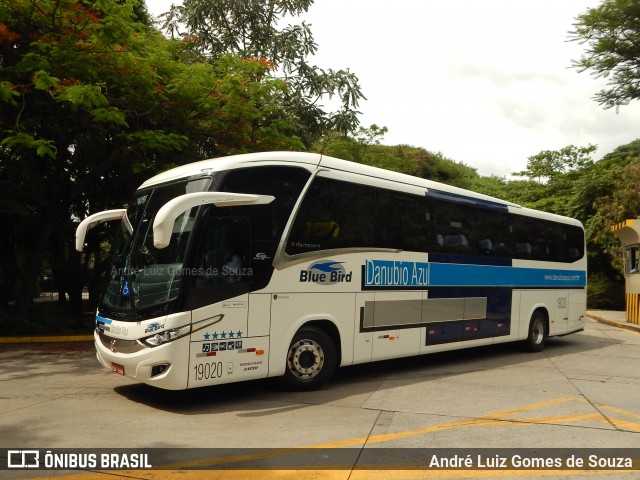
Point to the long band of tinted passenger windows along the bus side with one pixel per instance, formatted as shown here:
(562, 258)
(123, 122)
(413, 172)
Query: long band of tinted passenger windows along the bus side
(336, 214)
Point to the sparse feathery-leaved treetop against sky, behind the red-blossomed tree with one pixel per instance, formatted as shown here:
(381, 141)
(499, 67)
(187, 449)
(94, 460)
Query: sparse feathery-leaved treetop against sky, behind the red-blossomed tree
(253, 29)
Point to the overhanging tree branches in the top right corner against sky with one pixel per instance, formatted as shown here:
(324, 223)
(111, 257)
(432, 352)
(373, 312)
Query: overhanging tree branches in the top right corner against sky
(611, 33)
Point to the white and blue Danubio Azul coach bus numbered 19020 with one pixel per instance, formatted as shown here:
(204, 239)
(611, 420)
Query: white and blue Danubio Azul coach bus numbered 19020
(291, 264)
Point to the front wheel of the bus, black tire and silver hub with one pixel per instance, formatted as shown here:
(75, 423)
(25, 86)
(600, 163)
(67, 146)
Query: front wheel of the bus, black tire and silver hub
(311, 360)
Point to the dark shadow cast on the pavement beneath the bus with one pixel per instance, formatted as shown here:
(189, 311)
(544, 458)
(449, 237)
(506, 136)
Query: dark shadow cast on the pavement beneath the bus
(265, 397)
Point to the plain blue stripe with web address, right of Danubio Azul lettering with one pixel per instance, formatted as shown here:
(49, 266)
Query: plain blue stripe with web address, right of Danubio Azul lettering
(443, 274)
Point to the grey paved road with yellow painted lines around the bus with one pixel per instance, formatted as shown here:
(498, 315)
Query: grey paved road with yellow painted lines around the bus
(578, 396)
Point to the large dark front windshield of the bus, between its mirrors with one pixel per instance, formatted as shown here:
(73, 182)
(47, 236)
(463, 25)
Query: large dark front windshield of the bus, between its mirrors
(141, 275)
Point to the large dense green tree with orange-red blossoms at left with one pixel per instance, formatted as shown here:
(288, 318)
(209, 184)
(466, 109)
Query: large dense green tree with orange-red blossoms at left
(93, 100)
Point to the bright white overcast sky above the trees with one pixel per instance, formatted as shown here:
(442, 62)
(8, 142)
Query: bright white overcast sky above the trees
(488, 84)
